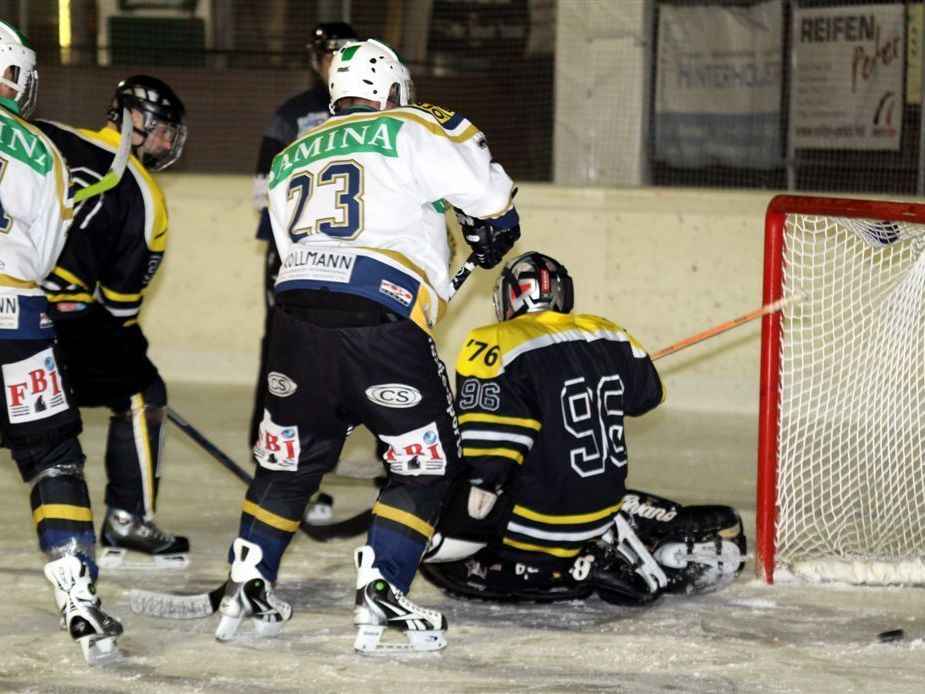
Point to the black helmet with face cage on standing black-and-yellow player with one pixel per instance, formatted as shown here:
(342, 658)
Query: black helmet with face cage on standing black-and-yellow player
(164, 117)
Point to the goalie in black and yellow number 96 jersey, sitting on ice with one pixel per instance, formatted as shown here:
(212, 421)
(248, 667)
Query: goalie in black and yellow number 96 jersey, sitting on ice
(542, 512)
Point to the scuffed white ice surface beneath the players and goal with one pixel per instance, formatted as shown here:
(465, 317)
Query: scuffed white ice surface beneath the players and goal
(746, 638)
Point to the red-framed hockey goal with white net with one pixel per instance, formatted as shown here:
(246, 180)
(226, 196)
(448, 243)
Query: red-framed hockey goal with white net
(841, 468)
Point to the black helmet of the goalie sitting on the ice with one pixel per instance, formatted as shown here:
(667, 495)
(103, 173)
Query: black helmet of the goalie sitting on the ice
(531, 283)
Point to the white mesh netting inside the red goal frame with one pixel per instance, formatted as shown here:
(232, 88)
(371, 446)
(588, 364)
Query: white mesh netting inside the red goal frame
(851, 475)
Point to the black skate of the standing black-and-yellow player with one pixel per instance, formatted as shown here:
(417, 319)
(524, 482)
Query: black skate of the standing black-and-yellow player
(150, 547)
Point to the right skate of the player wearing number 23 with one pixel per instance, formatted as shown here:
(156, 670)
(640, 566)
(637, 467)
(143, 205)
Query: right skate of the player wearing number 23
(380, 606)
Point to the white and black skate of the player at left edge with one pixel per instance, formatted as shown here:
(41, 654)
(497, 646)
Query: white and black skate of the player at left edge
(81, 614)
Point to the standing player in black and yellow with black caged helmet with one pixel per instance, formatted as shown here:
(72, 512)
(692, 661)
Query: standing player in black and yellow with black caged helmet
(96, 290)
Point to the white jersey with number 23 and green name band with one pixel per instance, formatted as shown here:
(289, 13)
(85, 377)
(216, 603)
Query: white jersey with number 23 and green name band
(357, 204)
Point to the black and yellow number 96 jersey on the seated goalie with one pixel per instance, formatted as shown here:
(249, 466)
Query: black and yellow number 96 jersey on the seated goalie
(542, 398)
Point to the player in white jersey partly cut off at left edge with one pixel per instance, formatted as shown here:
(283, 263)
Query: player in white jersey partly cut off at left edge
(39, 422)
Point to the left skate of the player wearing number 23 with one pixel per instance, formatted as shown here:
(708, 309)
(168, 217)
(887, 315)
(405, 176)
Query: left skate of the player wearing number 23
(249, 594)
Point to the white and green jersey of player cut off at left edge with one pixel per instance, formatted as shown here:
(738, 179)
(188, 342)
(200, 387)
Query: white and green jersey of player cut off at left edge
(35, 214)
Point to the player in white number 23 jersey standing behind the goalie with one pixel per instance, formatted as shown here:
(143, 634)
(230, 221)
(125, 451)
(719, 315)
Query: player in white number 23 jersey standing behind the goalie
(357, 210)
